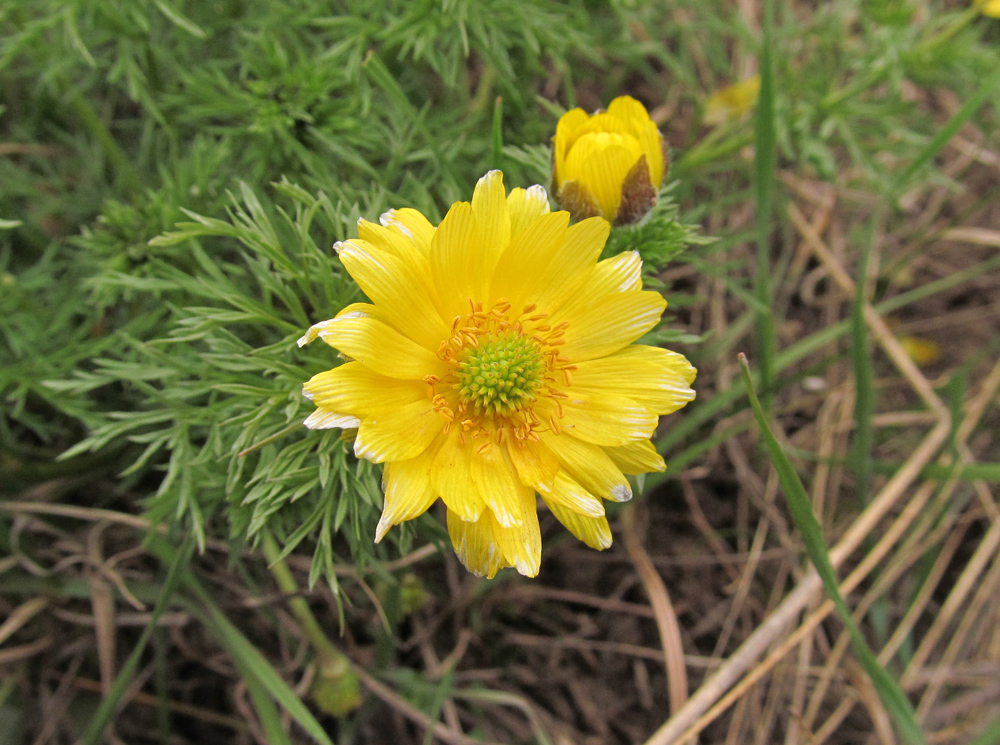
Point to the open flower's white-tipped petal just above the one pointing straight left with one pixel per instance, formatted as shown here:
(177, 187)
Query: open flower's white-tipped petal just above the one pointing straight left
(381, 348)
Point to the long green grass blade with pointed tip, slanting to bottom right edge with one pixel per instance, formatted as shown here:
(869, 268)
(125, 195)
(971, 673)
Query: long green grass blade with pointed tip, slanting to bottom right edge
(887, 687)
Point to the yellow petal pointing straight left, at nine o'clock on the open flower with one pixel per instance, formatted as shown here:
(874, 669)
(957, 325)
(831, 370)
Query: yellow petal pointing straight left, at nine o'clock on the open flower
(354, 389)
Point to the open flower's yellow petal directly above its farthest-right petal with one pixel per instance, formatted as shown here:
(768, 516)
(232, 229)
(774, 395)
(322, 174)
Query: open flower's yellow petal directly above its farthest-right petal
(617, 321)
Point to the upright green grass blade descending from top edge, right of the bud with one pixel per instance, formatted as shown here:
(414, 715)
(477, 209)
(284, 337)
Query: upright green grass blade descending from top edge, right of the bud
(765, 166)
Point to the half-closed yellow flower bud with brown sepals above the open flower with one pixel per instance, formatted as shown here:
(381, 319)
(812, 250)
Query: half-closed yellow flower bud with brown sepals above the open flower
(610, 164)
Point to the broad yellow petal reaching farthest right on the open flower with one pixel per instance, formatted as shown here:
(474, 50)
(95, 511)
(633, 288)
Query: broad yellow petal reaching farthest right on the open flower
(655, 378)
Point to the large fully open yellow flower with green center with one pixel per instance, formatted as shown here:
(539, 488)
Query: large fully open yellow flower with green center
(496, 361)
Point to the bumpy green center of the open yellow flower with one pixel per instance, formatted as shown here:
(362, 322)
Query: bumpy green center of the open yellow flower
(501, 374)
